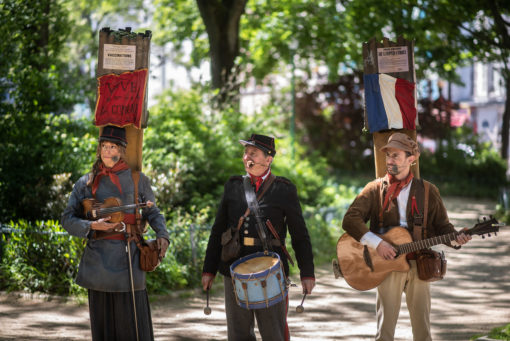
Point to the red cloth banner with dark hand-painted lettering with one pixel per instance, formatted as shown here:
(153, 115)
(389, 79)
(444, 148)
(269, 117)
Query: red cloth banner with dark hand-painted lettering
(120, 98)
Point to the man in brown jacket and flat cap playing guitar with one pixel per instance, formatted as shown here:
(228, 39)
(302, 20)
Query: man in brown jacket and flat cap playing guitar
(389, 202)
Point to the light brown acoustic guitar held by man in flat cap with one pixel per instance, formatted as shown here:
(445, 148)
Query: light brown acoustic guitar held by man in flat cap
(364, 269)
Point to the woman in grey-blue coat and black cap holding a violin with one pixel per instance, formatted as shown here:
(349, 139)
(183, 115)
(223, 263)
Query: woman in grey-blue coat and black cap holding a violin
(105, 267)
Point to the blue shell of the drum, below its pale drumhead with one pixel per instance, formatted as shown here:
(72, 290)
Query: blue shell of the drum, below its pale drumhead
(276, 286)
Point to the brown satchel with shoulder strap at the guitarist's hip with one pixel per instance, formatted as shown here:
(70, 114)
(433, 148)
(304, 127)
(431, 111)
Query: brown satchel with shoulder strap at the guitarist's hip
(431, 264)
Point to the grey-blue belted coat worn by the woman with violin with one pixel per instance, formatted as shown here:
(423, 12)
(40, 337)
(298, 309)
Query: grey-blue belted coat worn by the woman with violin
(104, 264)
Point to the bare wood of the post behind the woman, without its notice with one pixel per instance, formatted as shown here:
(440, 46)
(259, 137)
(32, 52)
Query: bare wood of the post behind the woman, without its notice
(141, 42)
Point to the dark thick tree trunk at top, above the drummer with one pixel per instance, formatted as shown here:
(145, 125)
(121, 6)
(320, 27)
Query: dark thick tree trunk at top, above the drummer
(221, 19)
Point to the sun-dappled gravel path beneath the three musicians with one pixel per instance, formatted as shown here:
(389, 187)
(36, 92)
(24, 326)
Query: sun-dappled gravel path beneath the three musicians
(473, 298)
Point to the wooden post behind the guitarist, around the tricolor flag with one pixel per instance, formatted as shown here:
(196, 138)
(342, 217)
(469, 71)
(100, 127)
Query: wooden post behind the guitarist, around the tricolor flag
(372, 65)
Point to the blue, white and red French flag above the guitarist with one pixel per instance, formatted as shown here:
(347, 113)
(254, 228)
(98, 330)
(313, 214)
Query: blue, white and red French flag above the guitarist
(390, 102)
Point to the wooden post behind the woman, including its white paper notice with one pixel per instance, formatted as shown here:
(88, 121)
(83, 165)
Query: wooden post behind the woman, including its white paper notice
(133, 53)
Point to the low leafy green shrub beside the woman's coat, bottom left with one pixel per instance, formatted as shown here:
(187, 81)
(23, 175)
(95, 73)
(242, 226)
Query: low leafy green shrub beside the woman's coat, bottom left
(40, 257)
